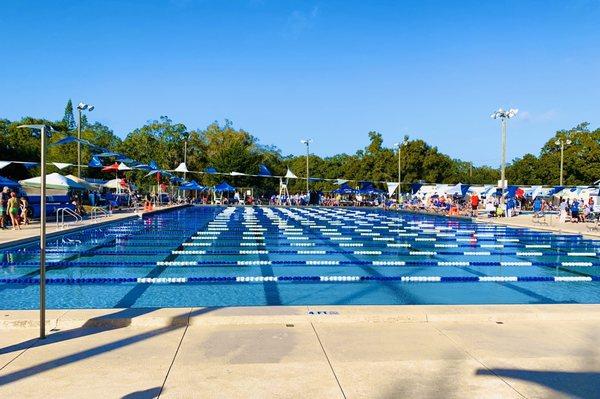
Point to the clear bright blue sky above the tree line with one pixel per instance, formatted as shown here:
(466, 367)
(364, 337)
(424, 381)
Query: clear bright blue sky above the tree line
(328, 70)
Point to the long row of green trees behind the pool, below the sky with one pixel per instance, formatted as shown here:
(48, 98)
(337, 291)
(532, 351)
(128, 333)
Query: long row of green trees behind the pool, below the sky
(235, 150)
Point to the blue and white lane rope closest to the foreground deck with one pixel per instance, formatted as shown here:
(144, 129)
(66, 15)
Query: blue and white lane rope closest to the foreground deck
(294, 279)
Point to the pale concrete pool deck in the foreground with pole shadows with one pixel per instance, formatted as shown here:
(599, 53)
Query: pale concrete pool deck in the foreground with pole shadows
(473, 351)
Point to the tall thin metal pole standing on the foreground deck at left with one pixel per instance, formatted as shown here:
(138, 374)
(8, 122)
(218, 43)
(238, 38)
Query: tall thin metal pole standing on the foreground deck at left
(44, 129)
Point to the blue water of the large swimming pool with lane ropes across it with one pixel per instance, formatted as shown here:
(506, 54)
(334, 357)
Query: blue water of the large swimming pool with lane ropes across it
(234, 256)
